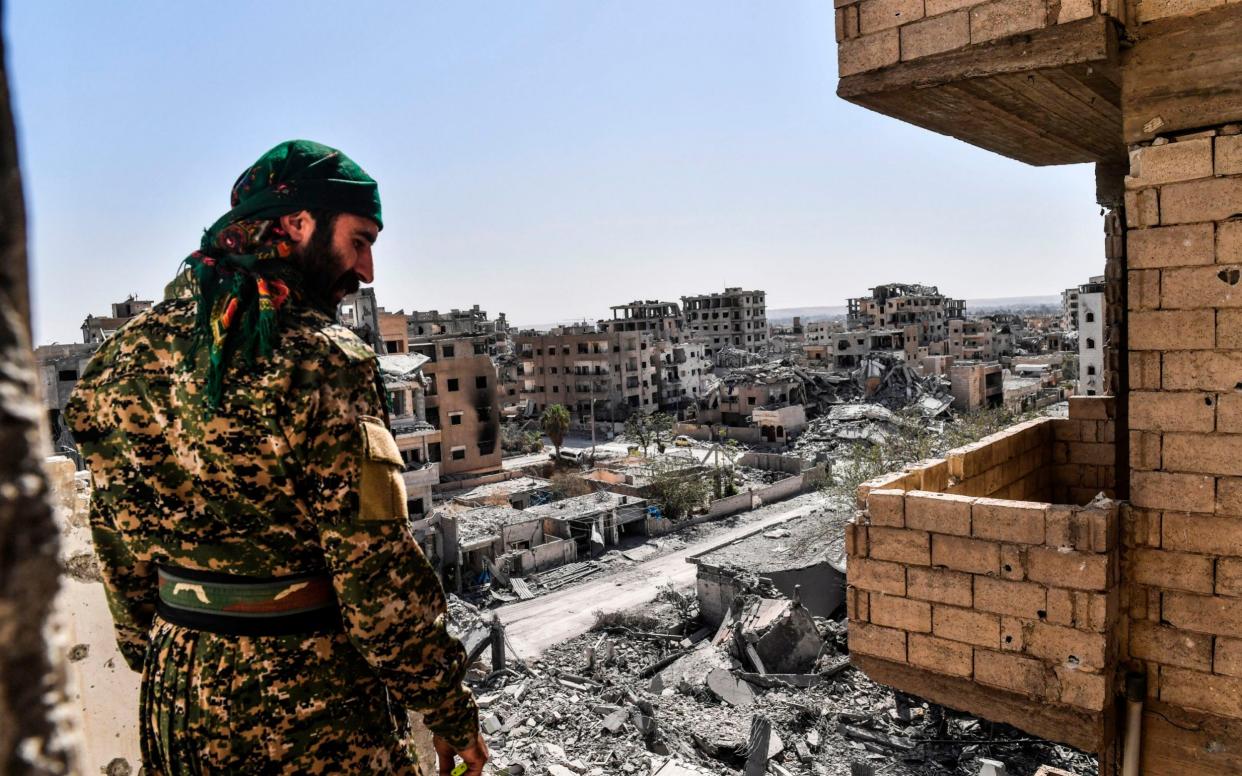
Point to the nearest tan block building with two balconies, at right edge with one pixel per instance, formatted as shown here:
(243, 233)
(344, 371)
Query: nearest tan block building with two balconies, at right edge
(1081, 578)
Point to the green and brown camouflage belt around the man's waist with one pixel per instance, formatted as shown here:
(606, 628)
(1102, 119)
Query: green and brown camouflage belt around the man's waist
(237, 605)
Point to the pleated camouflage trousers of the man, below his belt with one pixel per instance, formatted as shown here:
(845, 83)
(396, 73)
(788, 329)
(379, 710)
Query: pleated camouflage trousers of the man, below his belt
(274, 705)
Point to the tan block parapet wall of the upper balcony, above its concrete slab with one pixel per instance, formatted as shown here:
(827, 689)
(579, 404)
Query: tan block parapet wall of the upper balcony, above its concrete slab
(876, 34)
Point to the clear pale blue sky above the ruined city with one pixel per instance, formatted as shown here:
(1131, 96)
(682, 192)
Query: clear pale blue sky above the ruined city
(546, 160)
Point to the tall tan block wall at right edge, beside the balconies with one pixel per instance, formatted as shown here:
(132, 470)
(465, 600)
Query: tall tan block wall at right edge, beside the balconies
(1183, 532)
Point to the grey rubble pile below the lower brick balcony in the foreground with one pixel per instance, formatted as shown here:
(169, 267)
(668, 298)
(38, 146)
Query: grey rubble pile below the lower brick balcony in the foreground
(769, 692)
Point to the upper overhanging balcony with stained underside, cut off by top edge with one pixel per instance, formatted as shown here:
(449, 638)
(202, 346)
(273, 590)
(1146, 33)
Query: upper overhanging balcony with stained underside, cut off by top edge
(1036, 85)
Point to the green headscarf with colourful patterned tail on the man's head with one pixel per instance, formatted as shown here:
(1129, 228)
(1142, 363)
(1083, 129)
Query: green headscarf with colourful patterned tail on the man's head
(240, 274)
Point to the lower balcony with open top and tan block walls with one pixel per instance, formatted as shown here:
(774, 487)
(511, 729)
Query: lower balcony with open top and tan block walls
(989, 580)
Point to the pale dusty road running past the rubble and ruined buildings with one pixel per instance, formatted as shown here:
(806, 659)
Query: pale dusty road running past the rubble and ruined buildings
(551, 619)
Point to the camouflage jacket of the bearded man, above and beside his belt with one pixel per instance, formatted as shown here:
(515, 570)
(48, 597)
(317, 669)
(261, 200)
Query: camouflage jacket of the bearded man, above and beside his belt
(292, 475)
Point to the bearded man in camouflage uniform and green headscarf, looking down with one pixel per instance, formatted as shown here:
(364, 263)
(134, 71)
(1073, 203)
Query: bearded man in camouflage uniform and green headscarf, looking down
(249, 512)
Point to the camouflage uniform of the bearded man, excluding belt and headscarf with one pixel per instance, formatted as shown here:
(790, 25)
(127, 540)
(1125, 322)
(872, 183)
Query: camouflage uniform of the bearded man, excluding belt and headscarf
(294, 474)
